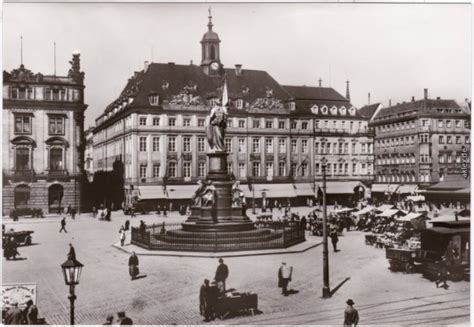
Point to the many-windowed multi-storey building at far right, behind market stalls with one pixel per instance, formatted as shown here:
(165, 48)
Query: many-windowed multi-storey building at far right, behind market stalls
(419, 143)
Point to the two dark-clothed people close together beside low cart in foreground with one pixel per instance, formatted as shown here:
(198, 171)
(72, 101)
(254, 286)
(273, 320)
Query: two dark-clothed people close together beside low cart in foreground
(209, 293)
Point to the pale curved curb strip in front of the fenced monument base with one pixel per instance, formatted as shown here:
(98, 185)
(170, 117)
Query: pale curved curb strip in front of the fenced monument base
(189, 254)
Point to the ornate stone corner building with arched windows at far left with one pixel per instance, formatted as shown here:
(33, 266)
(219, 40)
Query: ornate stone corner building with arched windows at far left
(43, 143)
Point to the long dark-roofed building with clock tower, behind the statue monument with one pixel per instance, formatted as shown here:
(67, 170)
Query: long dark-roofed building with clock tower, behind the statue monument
(275, 134)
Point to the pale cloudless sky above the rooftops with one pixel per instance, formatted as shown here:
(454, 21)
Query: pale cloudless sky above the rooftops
(393, 51)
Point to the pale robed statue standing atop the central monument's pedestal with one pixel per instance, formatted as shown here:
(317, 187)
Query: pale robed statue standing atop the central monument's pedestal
(216, 124)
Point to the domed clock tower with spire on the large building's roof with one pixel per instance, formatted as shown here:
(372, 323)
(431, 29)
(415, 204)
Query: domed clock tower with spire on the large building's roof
(210, 61)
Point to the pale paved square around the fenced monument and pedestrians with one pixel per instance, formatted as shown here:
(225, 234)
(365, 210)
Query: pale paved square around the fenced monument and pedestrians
(168, 292)
